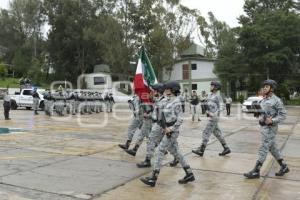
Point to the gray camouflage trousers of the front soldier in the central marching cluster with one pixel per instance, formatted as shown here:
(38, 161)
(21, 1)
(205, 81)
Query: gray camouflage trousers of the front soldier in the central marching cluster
(170, 144)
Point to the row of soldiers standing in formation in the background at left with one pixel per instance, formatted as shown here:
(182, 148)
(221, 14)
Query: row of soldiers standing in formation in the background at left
(77, 102)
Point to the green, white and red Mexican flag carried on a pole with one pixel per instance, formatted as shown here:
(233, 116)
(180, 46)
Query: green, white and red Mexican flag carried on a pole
(144, 77)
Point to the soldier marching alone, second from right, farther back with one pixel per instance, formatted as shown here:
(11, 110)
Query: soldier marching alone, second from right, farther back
(213, 113)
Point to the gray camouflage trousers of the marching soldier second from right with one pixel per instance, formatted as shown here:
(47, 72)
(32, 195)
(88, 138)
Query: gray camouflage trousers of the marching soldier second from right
(212, 127)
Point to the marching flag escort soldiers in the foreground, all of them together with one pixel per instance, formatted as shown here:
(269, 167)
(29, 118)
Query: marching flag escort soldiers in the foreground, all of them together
(160, 122)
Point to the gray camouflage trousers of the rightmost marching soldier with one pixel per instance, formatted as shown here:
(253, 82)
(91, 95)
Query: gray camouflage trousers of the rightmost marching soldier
(268, 135)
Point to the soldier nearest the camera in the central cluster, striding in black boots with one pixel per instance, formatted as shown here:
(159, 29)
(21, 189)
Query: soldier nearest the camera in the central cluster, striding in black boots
(171, 121)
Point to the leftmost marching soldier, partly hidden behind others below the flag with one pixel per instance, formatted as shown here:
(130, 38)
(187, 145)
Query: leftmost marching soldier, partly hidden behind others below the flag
(136, 121)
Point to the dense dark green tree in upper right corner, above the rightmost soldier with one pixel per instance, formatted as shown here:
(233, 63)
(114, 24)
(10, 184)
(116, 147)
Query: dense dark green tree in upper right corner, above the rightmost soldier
(269, 38)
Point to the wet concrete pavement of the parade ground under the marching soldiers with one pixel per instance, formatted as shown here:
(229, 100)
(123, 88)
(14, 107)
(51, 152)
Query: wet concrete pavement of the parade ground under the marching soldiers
(77, 157)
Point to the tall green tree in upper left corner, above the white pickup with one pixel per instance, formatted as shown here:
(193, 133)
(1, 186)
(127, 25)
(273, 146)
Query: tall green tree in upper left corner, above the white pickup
(21, 33)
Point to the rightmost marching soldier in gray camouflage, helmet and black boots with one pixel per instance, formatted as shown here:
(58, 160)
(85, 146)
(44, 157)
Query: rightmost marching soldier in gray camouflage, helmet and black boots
(272, 113)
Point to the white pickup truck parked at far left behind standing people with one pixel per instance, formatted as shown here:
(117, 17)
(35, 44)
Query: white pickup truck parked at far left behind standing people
(25, 99)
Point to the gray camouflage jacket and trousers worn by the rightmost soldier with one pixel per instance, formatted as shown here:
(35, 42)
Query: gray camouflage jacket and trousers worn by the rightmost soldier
(272, 107)
